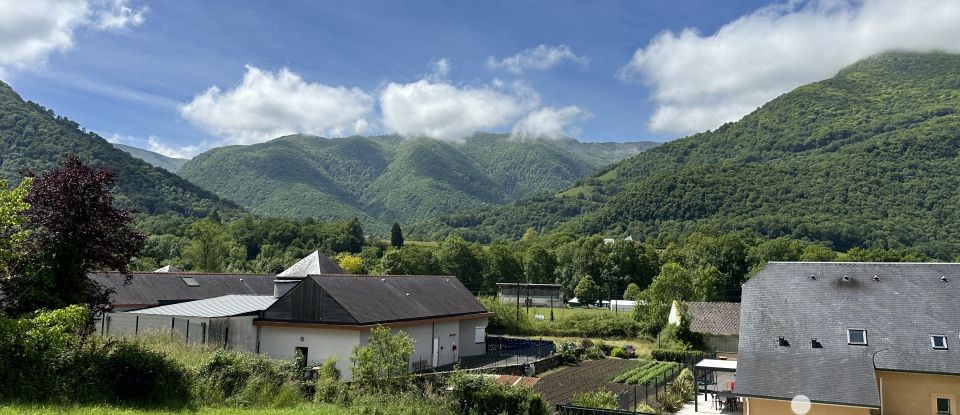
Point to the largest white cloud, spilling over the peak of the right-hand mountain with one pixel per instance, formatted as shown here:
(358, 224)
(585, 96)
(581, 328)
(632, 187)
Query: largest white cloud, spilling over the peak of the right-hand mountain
(700, 82)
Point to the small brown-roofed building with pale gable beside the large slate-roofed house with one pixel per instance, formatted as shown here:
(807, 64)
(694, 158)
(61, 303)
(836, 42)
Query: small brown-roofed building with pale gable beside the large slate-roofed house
(718, 323)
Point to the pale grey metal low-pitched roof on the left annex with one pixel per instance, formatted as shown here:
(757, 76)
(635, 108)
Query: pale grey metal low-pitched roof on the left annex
(224, 306)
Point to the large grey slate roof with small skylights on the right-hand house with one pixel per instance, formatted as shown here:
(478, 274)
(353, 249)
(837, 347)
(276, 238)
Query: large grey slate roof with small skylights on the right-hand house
(900, 310)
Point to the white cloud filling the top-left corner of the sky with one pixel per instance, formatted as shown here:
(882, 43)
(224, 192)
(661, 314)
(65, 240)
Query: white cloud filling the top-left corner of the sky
(30, 30)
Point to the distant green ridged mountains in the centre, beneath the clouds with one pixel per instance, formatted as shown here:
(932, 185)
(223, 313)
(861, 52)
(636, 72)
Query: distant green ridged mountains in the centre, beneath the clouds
(385, 179)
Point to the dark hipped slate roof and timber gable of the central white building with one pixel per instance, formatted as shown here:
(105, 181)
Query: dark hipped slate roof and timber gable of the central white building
(365, 299)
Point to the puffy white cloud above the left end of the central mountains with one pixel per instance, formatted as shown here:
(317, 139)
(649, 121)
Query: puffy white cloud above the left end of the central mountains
(267, 105)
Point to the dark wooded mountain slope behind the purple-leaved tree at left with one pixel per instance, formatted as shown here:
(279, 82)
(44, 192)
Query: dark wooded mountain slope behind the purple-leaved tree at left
(34, 138)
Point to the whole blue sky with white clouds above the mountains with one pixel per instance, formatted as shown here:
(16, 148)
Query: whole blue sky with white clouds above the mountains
(179, 76)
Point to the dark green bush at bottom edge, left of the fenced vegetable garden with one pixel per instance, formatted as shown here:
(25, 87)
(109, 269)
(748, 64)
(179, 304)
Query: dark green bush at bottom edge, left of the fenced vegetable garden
(476, 394)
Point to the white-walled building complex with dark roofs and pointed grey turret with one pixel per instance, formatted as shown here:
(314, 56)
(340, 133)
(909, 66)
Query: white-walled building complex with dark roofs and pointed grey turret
(318, 315)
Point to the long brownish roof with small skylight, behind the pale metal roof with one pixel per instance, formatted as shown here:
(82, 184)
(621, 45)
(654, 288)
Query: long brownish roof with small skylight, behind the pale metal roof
(149, 289)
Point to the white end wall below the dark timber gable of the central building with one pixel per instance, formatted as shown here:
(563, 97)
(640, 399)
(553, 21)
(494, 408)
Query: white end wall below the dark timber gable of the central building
(281, 343)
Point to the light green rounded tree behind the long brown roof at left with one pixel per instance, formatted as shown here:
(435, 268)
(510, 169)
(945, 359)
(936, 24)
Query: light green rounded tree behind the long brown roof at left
(209, 247)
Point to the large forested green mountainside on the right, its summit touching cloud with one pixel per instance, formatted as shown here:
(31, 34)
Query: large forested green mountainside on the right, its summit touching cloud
(866, 158)
